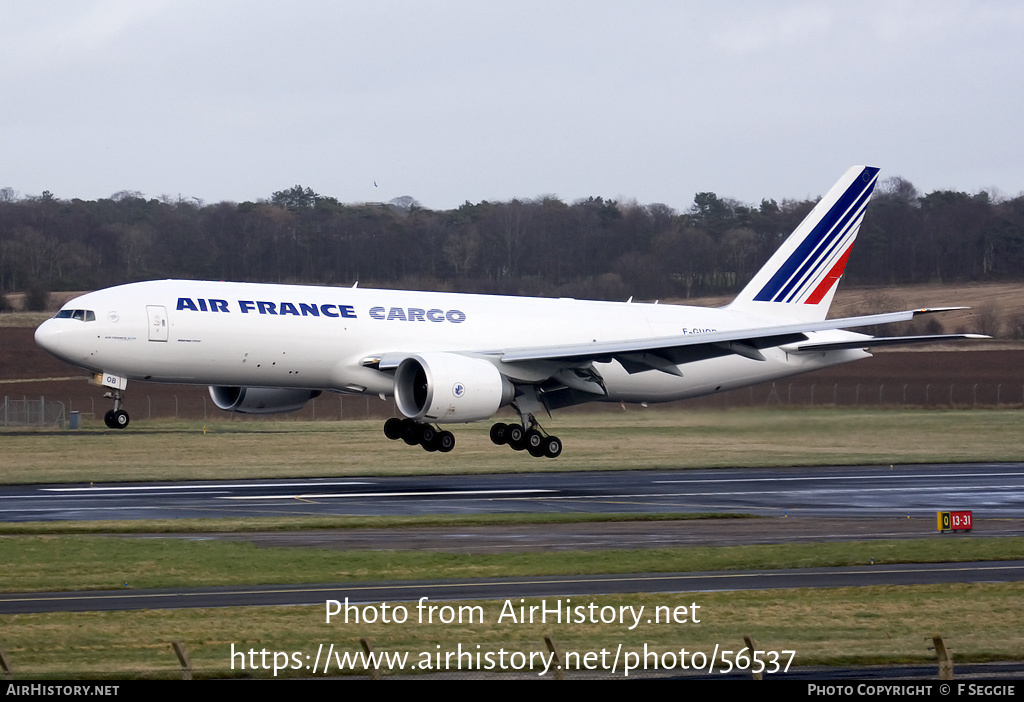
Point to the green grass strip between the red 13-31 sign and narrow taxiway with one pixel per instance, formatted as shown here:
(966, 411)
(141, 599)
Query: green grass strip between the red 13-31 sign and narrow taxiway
(72, 562)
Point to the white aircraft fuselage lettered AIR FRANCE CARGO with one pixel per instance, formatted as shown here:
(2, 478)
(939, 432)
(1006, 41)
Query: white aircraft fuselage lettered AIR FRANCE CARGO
(255, 335)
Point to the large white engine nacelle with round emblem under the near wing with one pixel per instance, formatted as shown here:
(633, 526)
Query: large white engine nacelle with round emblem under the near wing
(447, 387)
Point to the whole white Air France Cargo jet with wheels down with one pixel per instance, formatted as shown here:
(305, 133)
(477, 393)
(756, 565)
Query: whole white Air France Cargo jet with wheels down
(451, 359)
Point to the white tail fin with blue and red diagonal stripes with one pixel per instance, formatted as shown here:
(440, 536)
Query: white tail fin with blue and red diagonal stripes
(801, 278)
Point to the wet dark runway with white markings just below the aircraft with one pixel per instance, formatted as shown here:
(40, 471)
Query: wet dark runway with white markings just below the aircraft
(992, 491)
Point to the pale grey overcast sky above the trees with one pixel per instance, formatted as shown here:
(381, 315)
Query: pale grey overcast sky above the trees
(456, 102)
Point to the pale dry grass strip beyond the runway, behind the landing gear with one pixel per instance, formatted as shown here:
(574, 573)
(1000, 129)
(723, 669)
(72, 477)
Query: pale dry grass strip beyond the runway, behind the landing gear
(633, 440)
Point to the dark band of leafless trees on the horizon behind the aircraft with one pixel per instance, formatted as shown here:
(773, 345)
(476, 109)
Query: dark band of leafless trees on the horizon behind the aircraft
(592, 248)
